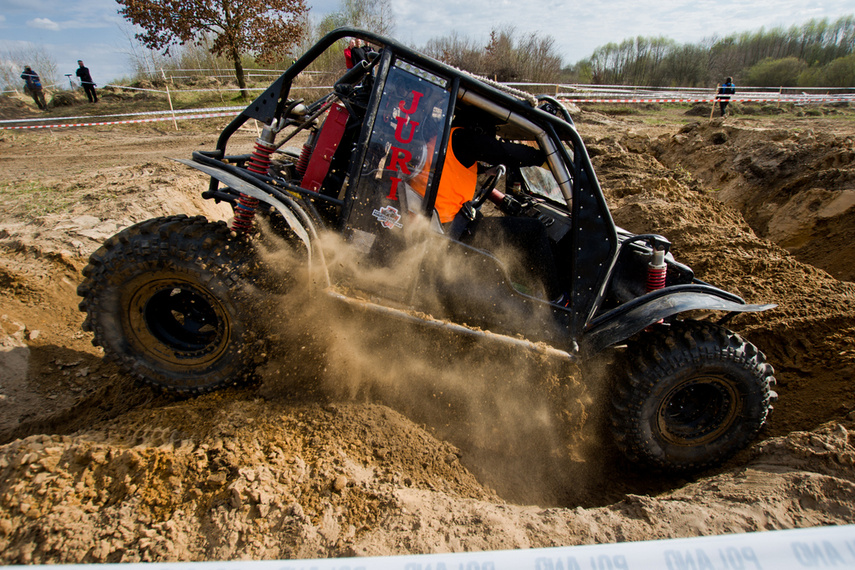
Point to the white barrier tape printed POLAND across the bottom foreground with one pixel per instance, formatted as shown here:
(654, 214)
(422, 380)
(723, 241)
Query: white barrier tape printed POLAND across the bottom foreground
(825, 547)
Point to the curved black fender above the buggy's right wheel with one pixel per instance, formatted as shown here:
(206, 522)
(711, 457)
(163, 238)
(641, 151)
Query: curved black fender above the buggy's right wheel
(634, 316)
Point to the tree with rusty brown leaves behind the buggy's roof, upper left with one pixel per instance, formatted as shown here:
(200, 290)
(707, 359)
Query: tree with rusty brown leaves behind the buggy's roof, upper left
(264, 28)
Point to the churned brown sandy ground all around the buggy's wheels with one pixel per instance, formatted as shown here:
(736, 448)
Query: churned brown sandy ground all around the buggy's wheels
(329, 457)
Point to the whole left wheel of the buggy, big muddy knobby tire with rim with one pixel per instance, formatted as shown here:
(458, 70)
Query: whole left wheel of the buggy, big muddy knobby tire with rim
(170, 302)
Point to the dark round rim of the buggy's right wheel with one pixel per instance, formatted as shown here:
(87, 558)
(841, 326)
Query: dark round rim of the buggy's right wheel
(698, 411)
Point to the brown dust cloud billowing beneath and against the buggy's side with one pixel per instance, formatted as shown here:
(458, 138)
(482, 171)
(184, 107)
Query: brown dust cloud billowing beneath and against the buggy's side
(521, 418)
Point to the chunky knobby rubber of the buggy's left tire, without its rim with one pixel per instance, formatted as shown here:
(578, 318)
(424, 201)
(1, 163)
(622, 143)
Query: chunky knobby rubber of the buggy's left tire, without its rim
(203, 250)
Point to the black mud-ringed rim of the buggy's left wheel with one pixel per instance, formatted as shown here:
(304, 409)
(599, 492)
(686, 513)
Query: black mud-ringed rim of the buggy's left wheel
(179, 323)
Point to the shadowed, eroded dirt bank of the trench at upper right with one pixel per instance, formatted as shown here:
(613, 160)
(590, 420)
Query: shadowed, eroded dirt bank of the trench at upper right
(794, 187)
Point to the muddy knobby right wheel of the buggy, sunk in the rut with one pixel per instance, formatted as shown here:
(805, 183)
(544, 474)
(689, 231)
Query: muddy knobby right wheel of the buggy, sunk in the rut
(689, 396)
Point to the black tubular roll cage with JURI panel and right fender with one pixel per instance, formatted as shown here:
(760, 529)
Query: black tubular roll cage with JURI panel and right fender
(399, 95)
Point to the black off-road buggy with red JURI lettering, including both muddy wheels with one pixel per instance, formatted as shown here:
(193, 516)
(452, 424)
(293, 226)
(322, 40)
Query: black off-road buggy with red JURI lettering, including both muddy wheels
(171, 299)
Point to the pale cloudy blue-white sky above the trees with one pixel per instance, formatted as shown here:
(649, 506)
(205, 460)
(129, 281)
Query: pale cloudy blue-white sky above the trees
(93, 31)
